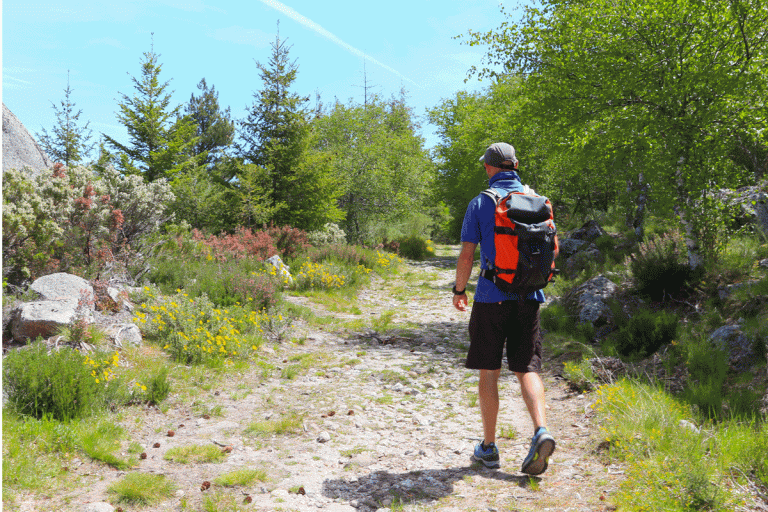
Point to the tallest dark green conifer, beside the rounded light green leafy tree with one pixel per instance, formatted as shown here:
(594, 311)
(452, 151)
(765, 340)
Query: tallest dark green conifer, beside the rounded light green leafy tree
(274, 131)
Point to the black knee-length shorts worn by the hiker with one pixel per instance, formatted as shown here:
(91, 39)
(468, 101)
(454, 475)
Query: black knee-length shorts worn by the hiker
(514, 324)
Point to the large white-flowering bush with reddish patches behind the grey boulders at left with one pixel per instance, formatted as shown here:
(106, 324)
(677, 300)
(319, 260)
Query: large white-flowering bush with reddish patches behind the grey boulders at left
(76, 221)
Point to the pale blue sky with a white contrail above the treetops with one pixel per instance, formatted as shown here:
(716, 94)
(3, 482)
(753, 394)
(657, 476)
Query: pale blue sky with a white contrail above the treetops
(399, 44)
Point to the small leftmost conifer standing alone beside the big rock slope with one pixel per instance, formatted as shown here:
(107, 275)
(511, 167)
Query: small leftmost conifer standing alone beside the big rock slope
(68, 143)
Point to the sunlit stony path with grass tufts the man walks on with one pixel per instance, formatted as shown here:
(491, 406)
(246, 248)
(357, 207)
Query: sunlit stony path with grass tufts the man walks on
(382, 420)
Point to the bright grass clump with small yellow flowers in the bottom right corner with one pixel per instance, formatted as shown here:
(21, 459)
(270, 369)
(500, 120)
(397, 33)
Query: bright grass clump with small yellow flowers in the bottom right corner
(671, 467)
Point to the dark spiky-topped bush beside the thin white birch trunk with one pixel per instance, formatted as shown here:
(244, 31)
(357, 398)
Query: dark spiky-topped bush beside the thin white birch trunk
(660, 267)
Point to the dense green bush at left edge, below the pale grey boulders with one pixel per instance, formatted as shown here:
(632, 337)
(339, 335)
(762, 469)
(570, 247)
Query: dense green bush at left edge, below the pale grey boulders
(63, 385)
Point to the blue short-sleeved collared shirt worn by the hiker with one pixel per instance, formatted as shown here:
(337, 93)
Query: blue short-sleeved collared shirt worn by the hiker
(478, 228)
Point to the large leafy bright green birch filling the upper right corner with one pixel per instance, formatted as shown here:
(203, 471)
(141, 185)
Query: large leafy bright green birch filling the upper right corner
(659, 85)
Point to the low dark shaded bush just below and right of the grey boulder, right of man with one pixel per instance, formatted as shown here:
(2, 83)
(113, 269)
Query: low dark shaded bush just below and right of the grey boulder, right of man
(645, 333)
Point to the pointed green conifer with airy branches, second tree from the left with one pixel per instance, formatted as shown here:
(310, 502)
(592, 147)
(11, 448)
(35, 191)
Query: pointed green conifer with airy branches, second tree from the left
(161, 141)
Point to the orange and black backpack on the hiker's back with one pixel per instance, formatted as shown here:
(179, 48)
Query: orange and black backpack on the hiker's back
(525, 240)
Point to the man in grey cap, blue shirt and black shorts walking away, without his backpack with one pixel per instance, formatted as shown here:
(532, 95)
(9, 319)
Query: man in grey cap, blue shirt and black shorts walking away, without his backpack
(500, 318)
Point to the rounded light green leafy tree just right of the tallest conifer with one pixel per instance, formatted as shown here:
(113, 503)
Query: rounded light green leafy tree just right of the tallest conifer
(380, 162)
